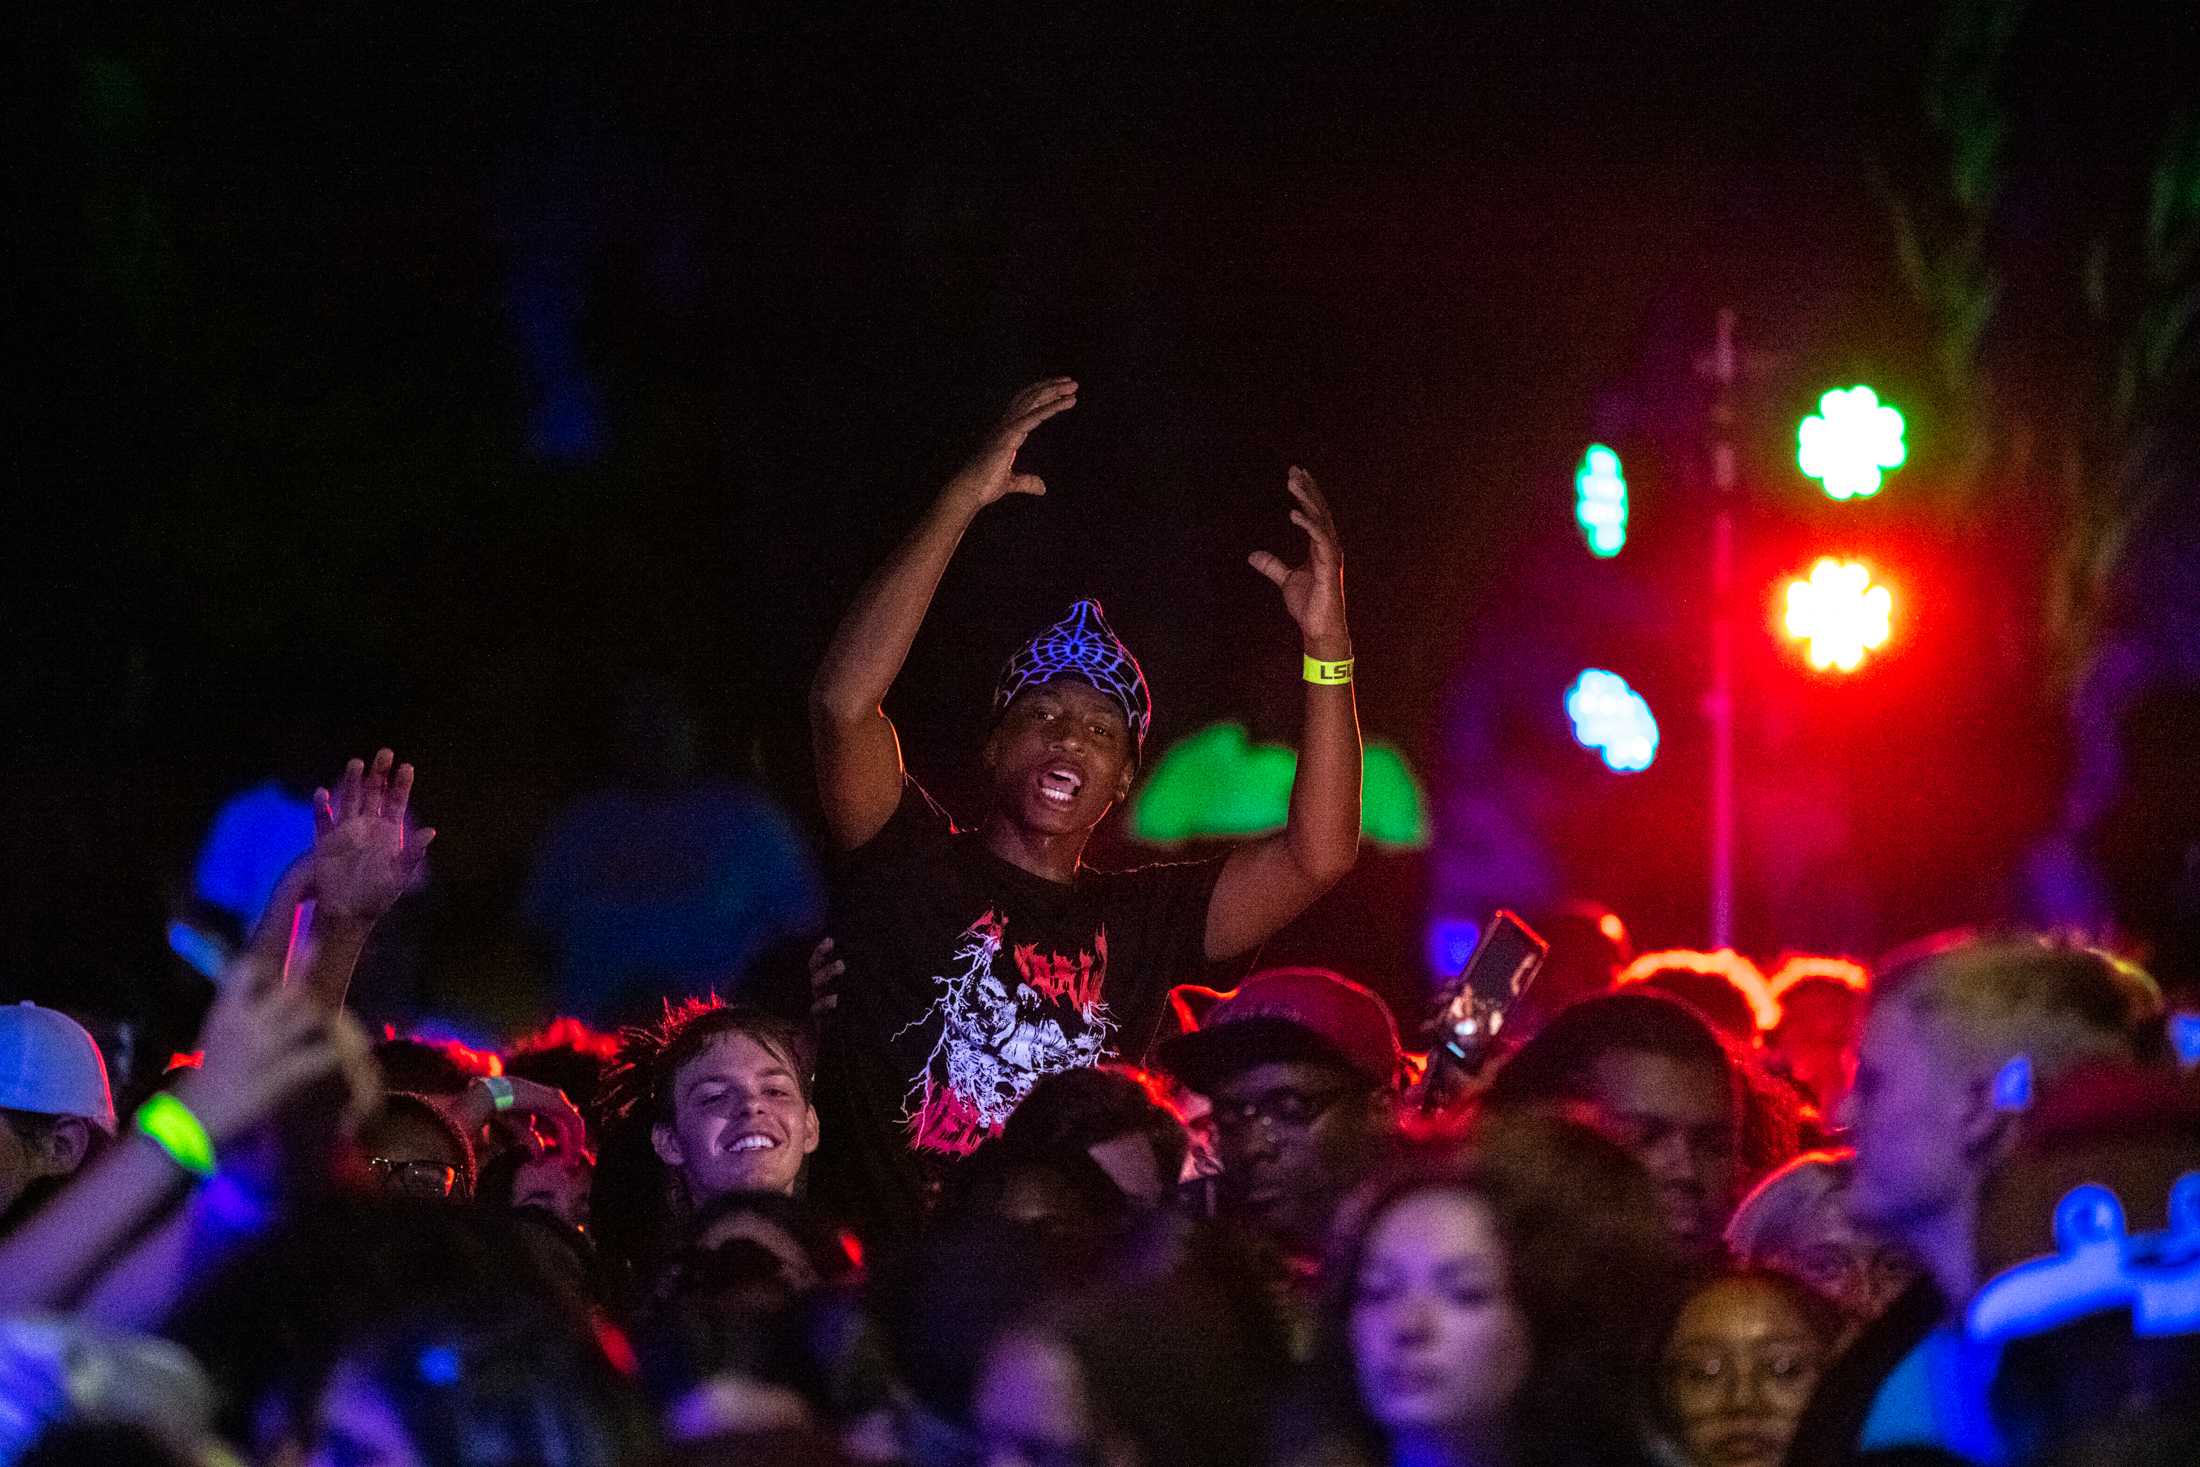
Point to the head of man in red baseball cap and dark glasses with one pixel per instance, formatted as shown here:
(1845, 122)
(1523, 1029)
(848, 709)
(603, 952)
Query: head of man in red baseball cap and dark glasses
(1306, 1072)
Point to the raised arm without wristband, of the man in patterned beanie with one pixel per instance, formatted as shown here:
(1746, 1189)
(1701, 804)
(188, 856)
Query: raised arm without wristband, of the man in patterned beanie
(857, 751)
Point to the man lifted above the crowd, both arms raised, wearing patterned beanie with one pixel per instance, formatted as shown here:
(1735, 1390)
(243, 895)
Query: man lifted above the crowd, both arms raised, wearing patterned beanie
(984, 958)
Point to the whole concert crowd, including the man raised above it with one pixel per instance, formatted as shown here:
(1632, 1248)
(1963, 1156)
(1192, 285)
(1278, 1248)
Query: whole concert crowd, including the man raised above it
(1042, 1169)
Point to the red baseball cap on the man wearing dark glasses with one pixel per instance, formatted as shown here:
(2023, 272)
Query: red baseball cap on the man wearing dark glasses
(1288, 1015)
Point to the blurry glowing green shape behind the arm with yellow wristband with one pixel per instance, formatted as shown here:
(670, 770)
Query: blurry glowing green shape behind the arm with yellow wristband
(1222, 786)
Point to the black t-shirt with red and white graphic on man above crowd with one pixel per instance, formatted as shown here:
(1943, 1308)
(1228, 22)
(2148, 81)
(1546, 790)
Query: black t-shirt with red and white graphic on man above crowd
(967, 980)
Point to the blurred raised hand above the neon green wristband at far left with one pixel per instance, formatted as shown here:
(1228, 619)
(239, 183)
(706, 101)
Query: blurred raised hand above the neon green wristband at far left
(263, 1044)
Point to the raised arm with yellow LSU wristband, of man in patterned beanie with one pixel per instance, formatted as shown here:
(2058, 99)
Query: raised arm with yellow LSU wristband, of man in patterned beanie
(1270, 881)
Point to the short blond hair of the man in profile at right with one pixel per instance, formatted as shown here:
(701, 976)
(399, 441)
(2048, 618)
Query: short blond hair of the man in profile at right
(2047, 1000)
